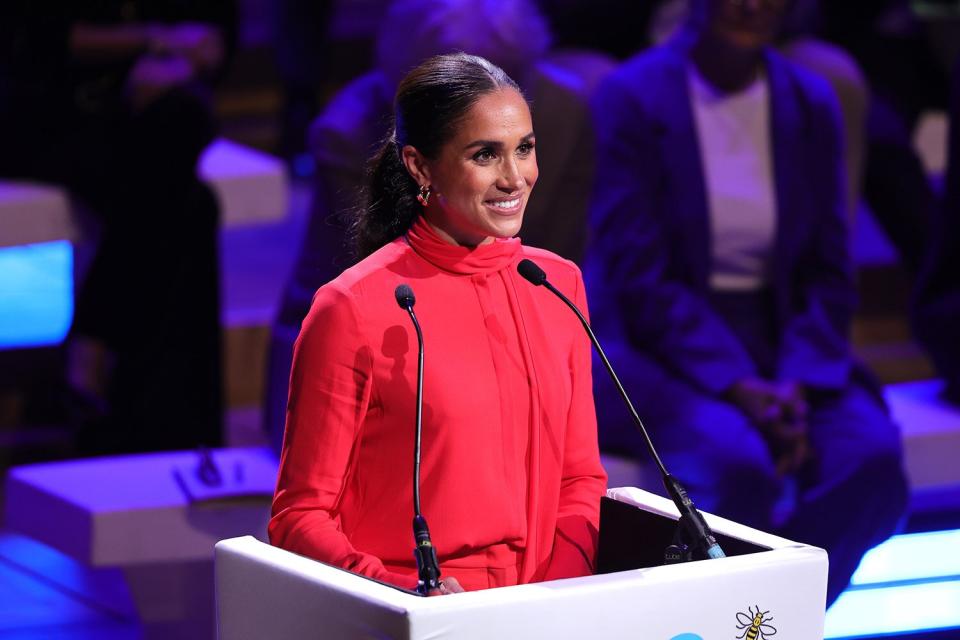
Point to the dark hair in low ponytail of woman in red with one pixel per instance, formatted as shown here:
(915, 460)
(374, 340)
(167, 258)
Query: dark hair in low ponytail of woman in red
(431, 101)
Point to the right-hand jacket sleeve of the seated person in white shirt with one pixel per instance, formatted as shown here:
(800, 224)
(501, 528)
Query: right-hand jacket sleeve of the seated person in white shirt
(815, 341)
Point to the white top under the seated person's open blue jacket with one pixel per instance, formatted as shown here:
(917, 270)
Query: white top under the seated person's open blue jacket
(736, 151)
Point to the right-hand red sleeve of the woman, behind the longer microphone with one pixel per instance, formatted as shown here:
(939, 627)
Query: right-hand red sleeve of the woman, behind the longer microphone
(583, 479)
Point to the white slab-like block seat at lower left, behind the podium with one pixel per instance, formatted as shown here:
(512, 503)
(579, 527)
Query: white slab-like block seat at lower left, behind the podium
(128, 510)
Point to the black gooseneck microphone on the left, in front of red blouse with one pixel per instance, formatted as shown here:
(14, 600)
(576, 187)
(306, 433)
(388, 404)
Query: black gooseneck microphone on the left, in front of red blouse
(428, 568)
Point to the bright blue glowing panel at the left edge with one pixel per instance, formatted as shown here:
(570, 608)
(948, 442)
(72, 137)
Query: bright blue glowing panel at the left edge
(36, 294)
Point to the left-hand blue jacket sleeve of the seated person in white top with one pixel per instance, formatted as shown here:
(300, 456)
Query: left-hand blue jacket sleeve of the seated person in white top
(634, 261)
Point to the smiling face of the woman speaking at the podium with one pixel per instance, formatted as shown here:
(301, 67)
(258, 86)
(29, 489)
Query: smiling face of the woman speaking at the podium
(482, 177)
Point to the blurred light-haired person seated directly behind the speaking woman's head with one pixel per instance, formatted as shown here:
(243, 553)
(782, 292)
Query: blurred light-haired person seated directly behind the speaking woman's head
(511, 34)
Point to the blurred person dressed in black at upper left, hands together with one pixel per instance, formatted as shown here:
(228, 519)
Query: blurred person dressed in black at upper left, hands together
(110, 100)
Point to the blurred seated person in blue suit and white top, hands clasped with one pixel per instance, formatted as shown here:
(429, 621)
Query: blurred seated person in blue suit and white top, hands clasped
(721, 280)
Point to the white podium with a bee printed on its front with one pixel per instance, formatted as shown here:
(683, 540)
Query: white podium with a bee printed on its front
(265, 592)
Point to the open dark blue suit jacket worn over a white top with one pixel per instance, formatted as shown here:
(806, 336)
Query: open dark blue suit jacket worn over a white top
(649, 263)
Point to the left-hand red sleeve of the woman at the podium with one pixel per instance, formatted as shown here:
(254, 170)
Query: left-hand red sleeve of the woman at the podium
(331, 389)
